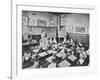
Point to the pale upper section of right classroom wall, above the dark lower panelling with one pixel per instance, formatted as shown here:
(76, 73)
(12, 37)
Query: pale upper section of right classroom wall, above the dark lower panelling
(76, 20)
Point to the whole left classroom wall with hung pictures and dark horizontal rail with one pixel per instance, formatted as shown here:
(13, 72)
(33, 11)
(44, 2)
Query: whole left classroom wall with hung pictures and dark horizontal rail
(32, 19)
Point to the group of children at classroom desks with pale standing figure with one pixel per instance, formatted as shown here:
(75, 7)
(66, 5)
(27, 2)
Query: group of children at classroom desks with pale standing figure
(64, 49)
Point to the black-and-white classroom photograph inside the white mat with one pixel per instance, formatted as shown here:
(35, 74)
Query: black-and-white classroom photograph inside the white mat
(55, 39)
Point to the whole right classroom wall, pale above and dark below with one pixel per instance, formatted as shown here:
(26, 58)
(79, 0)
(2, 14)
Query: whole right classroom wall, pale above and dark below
(77, 25)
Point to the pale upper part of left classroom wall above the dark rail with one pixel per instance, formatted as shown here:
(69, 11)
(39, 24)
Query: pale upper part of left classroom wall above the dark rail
(34, 16)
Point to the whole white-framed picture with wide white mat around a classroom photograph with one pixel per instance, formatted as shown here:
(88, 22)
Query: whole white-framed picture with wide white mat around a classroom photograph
(51, 51)
